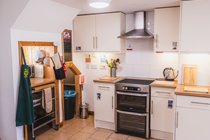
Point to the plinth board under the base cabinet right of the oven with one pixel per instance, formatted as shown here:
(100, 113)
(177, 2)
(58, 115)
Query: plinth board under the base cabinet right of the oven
(161, 135)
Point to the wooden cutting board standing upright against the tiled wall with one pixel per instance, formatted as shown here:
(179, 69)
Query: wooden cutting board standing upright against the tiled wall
(189, 74)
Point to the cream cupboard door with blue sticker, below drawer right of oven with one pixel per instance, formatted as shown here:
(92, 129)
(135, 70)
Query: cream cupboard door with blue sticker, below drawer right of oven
(162, 114)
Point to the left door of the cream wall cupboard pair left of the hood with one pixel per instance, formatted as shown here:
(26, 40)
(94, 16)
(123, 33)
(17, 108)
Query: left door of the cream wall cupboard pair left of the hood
(84, 33)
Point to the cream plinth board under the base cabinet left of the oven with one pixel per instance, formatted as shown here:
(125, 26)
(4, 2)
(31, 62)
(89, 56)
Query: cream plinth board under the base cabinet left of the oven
(104, 124)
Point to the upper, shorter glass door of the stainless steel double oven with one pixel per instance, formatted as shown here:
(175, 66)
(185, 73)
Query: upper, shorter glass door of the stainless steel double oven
(132, 102)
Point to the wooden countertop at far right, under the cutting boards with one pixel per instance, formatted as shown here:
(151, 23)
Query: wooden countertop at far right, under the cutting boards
(180, 91)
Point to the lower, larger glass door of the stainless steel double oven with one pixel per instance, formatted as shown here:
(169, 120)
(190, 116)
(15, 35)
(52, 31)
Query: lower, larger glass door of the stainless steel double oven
(133, 123)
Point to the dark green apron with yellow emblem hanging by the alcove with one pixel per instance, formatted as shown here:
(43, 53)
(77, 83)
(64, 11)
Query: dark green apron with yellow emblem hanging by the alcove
(25, 111)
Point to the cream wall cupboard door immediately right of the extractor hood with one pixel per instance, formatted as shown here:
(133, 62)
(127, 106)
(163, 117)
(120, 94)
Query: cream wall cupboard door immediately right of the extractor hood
(166, 28)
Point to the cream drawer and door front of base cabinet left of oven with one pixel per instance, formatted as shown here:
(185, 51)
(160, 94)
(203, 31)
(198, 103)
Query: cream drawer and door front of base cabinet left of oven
(104, 103)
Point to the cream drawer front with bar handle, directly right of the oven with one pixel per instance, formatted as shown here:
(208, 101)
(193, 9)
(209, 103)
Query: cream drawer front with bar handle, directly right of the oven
(162, 92)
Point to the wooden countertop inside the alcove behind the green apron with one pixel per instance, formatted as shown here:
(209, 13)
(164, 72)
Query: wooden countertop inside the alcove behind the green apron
(40, 81)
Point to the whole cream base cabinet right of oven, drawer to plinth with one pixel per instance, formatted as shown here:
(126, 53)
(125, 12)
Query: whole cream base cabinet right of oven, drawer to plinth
(162, 113)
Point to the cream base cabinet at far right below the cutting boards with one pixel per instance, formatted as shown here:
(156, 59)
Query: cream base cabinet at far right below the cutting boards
(192, 118)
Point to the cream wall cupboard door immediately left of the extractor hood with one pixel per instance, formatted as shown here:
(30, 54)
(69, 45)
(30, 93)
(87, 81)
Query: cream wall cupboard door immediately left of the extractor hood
(107, 31)
